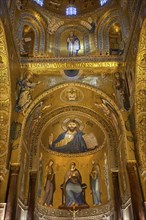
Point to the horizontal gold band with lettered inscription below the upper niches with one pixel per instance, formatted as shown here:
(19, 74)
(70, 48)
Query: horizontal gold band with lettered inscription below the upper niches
(70, 63)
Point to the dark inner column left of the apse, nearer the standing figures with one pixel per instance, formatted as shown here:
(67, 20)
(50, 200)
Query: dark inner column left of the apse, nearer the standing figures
(31, 202)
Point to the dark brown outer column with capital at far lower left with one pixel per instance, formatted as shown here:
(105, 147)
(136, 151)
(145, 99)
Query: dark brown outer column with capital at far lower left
(12, 192)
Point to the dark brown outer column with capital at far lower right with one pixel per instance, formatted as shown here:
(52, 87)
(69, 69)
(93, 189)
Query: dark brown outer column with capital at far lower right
(136, 192)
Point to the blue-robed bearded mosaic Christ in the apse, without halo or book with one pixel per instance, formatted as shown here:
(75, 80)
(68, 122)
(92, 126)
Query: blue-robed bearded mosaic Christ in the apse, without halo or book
(70, 141)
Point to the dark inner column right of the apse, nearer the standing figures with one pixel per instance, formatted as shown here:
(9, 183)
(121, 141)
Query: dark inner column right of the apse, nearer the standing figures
(117, 196)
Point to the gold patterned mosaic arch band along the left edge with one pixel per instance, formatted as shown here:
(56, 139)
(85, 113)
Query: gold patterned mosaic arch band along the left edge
(5, 101)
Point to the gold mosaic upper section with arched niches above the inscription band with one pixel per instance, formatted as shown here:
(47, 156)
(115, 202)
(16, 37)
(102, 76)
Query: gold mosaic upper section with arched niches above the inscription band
(41, 33)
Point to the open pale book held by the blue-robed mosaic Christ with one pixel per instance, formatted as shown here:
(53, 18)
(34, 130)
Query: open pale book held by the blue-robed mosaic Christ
(90, 141)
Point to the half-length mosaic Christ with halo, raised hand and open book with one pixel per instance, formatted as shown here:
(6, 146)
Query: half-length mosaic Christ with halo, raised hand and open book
(73, 140)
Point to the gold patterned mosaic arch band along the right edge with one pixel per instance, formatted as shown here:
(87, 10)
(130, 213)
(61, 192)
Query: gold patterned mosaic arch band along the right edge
(140, 110)
